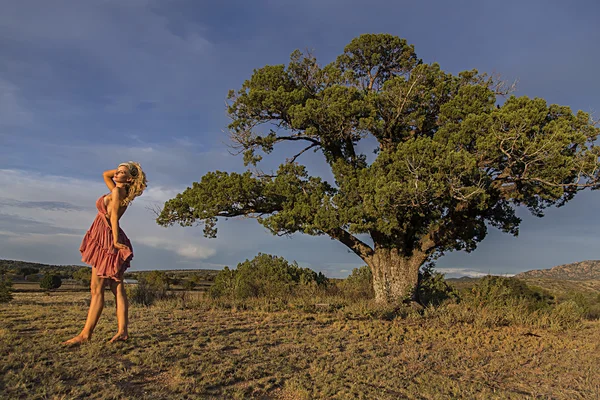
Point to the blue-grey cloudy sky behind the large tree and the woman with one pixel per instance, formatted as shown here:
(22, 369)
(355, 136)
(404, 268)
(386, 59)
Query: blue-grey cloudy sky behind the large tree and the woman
(85, 85)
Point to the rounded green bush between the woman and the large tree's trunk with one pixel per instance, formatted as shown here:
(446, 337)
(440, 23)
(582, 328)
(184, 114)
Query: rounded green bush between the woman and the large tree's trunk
(265, 276)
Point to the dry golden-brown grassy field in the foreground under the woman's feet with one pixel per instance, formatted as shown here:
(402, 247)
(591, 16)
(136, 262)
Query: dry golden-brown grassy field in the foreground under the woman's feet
(196, 350)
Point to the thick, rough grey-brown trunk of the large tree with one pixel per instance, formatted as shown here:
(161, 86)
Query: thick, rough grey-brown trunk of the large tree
(395, 276)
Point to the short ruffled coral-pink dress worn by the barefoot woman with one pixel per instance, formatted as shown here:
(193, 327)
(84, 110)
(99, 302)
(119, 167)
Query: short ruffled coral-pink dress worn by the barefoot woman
(97, 247)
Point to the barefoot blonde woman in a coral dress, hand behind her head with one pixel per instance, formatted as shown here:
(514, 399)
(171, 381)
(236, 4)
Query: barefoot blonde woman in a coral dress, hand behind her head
(108, 250)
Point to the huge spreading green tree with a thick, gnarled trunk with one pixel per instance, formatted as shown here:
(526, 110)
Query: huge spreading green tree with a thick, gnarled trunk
(444, 162)
